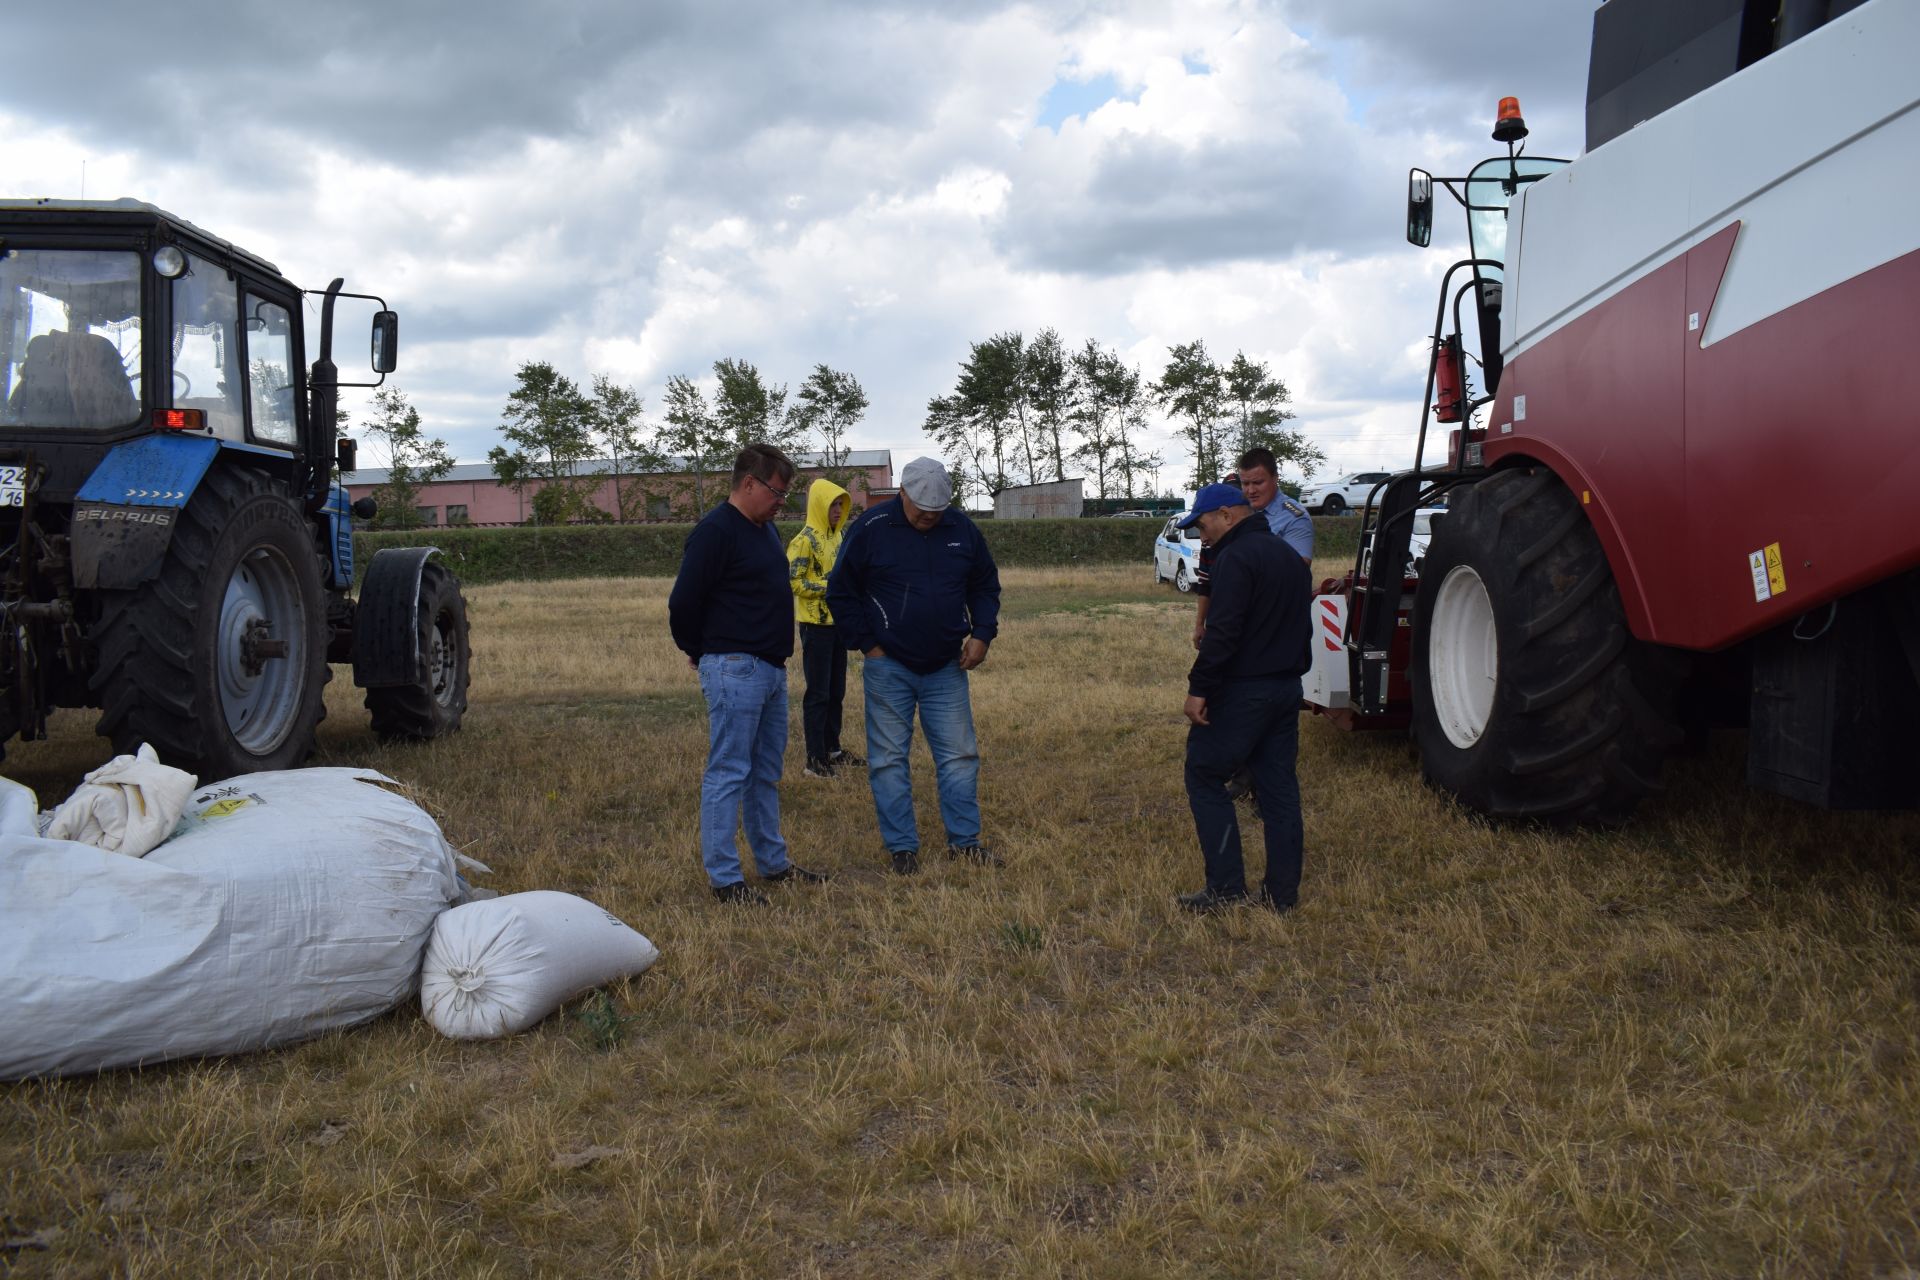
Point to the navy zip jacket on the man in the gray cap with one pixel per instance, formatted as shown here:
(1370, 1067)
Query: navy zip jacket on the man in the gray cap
(917, 596)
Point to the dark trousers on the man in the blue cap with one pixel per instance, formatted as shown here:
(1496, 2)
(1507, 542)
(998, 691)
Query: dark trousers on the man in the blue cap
(1251, 724)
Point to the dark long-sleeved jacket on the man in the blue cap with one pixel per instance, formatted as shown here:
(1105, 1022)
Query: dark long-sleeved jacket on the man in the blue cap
(1259, 621)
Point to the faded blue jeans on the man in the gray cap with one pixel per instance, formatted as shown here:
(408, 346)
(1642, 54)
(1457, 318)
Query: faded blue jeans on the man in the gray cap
(948, 719)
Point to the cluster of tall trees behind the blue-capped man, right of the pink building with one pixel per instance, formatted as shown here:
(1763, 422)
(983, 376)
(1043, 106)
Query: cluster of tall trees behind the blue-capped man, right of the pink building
(1024, 410)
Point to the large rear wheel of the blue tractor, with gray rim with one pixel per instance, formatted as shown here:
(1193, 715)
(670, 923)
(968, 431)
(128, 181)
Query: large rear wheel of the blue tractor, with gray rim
(220, 661)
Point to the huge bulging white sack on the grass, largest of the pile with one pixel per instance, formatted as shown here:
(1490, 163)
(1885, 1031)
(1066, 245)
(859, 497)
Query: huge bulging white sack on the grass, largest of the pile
(287, 905)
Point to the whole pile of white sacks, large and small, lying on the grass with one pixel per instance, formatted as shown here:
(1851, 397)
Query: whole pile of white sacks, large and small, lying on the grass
(151, 918)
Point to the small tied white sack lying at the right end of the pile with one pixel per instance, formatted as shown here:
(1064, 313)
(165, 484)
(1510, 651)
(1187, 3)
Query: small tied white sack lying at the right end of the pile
(496, 968)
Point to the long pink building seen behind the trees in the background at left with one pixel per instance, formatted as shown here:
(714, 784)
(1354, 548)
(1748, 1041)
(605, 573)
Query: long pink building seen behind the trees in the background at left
(469, 494)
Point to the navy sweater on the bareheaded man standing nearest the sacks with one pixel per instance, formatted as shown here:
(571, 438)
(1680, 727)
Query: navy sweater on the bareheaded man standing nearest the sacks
(732, 592)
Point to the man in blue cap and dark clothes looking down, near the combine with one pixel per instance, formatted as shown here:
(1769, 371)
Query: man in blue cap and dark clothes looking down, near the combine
(1243, 701)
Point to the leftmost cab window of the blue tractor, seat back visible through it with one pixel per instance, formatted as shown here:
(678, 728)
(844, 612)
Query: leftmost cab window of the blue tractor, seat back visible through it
(70, 339)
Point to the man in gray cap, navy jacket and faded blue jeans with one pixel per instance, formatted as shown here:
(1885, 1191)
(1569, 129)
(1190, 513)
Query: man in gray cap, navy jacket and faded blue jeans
(917, 592)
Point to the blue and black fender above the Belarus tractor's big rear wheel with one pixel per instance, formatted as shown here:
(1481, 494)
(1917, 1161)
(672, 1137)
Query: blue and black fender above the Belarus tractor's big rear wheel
(124, 515)
